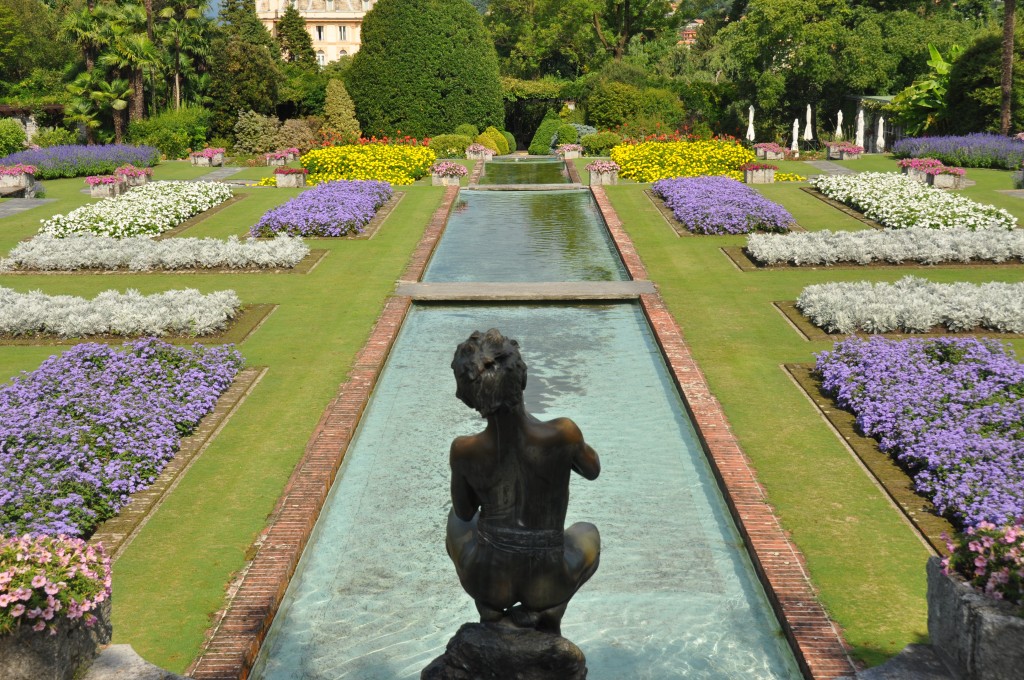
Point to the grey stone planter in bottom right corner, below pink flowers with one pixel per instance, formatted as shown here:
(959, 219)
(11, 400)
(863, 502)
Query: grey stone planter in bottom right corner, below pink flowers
(976, 636)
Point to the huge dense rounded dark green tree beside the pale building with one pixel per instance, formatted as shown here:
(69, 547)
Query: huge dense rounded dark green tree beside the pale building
(425, 67)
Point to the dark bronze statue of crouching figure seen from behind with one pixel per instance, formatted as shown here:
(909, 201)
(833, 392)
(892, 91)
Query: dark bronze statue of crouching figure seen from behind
(509, 495)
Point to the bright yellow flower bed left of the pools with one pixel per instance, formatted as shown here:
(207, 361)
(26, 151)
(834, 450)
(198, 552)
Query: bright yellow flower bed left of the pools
(393, 163)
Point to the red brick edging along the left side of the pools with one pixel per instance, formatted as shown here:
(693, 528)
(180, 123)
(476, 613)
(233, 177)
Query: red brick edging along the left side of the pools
(233, 643)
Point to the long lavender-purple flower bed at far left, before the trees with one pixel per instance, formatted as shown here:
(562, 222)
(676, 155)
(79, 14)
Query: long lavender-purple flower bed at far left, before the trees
(79, 160)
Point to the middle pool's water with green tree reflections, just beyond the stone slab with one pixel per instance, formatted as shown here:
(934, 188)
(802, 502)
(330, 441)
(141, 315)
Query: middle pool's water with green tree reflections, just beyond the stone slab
(526, 237)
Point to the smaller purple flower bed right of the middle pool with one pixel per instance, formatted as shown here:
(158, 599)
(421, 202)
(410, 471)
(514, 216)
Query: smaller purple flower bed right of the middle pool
(721, 205)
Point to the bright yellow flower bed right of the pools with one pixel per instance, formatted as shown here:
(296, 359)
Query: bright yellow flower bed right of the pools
(651, 161)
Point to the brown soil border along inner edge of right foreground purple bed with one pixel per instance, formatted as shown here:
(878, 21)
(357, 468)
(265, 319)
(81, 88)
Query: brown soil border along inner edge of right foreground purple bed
(898, 485)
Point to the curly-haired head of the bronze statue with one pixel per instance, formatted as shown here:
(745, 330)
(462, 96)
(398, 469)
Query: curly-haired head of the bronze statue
(490, 374)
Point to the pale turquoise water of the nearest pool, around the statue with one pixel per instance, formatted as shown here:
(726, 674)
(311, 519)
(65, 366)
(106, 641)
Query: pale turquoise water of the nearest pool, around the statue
(375, 597)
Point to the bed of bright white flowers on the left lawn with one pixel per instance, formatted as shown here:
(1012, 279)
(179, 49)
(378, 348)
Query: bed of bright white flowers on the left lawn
(147, 210)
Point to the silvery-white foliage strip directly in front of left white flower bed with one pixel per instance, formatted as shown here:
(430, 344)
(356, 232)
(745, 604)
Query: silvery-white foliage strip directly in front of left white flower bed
(48, 253)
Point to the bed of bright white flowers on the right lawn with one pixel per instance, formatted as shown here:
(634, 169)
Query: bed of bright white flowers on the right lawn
(900, 203)
